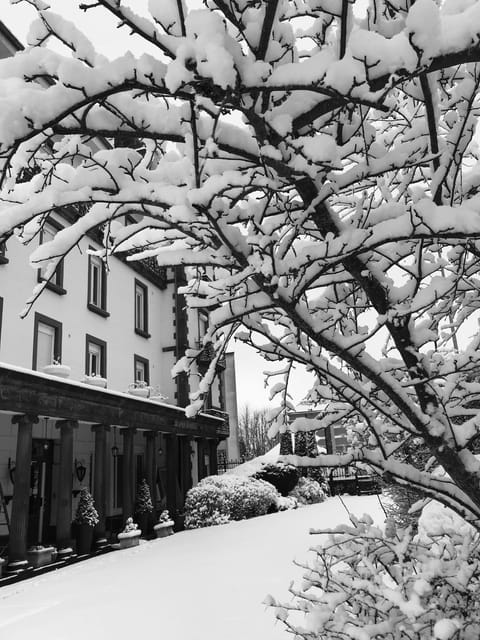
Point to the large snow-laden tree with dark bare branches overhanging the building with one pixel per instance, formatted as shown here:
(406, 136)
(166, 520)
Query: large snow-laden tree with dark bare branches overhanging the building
(325, 178)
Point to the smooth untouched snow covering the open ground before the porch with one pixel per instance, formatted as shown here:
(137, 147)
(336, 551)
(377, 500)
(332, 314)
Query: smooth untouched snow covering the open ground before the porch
(206, 584)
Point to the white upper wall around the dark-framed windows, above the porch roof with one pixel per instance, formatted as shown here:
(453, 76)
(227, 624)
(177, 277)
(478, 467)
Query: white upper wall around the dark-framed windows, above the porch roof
(17, 280)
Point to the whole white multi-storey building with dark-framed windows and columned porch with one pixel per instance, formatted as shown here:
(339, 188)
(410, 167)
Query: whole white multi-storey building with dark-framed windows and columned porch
(126, 324)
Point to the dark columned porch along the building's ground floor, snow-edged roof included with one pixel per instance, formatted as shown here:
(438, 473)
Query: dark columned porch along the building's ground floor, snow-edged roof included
(57, 435)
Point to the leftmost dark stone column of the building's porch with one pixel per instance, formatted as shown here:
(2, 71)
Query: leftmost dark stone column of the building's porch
(17, 543)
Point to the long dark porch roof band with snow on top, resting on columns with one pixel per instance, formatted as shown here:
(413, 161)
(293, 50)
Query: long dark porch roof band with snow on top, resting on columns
(26, 391)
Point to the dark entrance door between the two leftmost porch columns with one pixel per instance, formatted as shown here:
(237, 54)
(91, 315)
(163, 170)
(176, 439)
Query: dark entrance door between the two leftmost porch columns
(40, 491)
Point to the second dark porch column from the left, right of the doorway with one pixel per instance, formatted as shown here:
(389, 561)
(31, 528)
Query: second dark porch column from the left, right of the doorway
(65, 487)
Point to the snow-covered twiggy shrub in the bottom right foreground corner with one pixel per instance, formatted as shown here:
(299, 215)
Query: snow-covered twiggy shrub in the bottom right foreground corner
(367, 583)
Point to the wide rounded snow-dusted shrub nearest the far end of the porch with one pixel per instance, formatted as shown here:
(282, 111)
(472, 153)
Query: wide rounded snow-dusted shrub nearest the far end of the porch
(219, 499)
